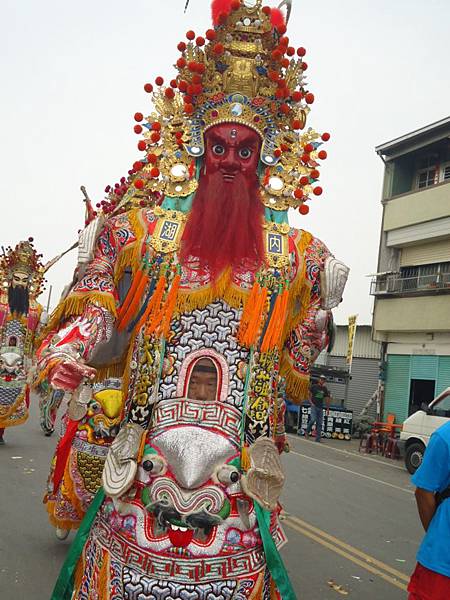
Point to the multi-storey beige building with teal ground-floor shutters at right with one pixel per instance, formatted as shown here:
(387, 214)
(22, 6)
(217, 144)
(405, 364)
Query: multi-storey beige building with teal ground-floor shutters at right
(412, 285)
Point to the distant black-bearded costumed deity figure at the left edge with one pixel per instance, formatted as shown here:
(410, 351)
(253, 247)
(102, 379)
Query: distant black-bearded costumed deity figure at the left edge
(21, 273)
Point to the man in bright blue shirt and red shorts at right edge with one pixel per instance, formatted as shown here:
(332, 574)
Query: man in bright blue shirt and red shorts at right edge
(431, 578)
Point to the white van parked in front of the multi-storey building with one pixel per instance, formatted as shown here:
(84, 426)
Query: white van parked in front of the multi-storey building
(418, 428)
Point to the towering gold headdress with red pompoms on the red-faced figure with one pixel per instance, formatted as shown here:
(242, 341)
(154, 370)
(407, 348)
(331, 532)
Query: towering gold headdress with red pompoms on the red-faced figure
(243, 71)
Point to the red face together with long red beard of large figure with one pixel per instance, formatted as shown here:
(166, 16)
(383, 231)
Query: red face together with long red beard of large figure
(224, 228)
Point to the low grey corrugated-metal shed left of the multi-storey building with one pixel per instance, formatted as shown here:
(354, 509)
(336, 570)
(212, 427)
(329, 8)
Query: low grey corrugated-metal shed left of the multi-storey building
(364, 369)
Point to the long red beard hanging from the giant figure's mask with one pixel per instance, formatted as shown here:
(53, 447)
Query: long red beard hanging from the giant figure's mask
(224, 228)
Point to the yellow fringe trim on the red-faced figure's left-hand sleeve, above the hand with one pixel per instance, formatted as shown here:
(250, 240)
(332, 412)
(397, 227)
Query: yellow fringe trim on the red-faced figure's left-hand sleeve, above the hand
(75, 304)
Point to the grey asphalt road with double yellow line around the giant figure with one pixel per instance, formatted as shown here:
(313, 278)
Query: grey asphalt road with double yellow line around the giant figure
(351, 521)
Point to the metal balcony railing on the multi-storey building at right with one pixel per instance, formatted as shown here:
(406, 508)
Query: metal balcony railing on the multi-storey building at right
(396, 284)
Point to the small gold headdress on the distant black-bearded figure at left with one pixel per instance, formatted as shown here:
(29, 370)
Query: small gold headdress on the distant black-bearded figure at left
(24, 259)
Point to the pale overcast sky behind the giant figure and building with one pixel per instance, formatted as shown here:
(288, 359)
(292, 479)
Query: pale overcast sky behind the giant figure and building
(72, 76)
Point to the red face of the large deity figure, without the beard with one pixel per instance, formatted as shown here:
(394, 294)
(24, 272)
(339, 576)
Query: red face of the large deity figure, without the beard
(231, 149)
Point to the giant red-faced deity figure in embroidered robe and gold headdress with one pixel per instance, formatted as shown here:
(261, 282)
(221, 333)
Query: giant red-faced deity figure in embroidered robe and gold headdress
(226, 302)
